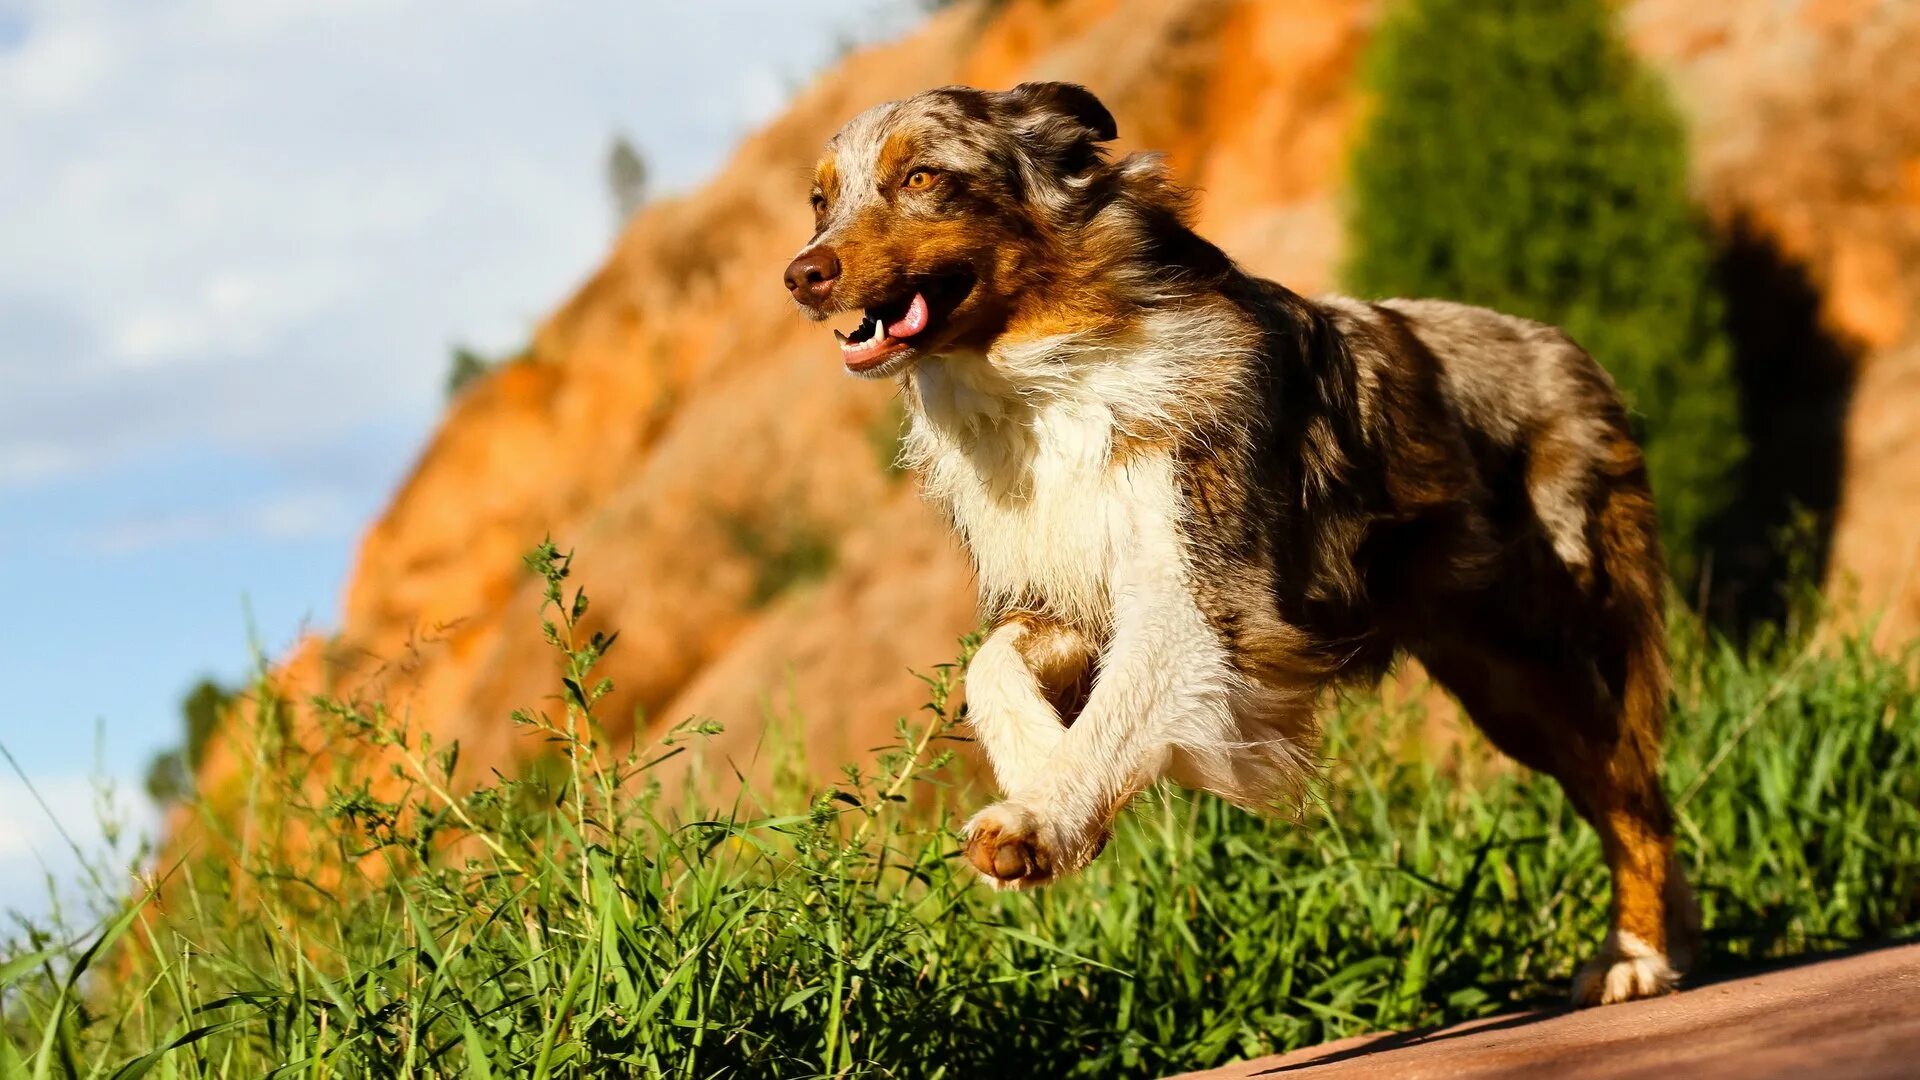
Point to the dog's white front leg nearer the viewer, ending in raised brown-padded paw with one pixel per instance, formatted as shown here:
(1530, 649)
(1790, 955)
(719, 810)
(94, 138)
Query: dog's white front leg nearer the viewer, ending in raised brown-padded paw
(1161, 675)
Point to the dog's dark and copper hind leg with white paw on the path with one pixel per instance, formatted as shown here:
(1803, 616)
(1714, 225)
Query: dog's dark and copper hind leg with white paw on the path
(1568, 674)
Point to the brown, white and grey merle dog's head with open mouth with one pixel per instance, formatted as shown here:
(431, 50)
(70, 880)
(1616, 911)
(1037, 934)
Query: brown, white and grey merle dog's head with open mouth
(948, 214)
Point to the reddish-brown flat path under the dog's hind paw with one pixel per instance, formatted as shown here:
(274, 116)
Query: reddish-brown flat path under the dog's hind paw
(1852, 1018)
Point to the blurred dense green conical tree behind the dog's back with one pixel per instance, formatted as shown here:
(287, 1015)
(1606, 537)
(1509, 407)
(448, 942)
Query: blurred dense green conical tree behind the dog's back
(1518, 157)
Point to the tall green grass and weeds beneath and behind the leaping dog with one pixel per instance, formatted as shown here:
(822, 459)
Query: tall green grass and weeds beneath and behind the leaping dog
(585, 923)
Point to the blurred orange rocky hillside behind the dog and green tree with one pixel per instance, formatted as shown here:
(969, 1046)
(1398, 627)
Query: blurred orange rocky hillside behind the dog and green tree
(727, 487)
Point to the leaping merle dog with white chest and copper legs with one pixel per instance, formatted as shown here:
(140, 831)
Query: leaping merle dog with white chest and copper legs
(1197, 503)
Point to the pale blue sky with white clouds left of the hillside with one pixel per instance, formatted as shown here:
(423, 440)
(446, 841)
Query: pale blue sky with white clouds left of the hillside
(237, 245)
